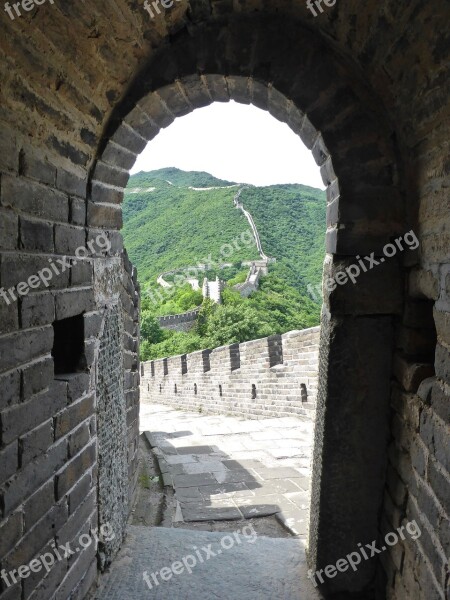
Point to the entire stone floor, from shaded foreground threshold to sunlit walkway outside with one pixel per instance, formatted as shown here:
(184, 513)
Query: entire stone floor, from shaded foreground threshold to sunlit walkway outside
(233, 472)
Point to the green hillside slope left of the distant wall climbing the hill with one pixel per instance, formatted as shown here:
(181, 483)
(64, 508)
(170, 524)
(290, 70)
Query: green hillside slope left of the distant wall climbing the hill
(169, 226)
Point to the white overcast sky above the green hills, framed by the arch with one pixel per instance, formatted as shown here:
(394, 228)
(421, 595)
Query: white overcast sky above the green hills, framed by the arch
(235, 142)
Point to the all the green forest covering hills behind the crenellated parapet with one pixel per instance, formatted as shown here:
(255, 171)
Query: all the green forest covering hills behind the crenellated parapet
(175, 219)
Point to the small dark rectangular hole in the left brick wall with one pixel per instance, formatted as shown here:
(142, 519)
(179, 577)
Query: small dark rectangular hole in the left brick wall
(68, 345)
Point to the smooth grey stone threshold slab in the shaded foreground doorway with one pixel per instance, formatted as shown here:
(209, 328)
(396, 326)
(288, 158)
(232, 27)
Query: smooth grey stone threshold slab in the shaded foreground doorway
(242, 566)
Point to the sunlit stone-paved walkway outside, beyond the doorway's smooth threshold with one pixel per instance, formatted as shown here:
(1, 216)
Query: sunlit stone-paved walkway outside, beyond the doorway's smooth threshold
(225, 468)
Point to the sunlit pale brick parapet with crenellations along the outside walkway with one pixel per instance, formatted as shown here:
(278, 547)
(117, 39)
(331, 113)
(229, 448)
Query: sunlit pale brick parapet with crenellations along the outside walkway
(241, 380)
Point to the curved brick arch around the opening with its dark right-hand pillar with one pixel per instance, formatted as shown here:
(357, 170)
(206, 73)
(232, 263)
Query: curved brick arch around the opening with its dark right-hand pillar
(301, 81)
